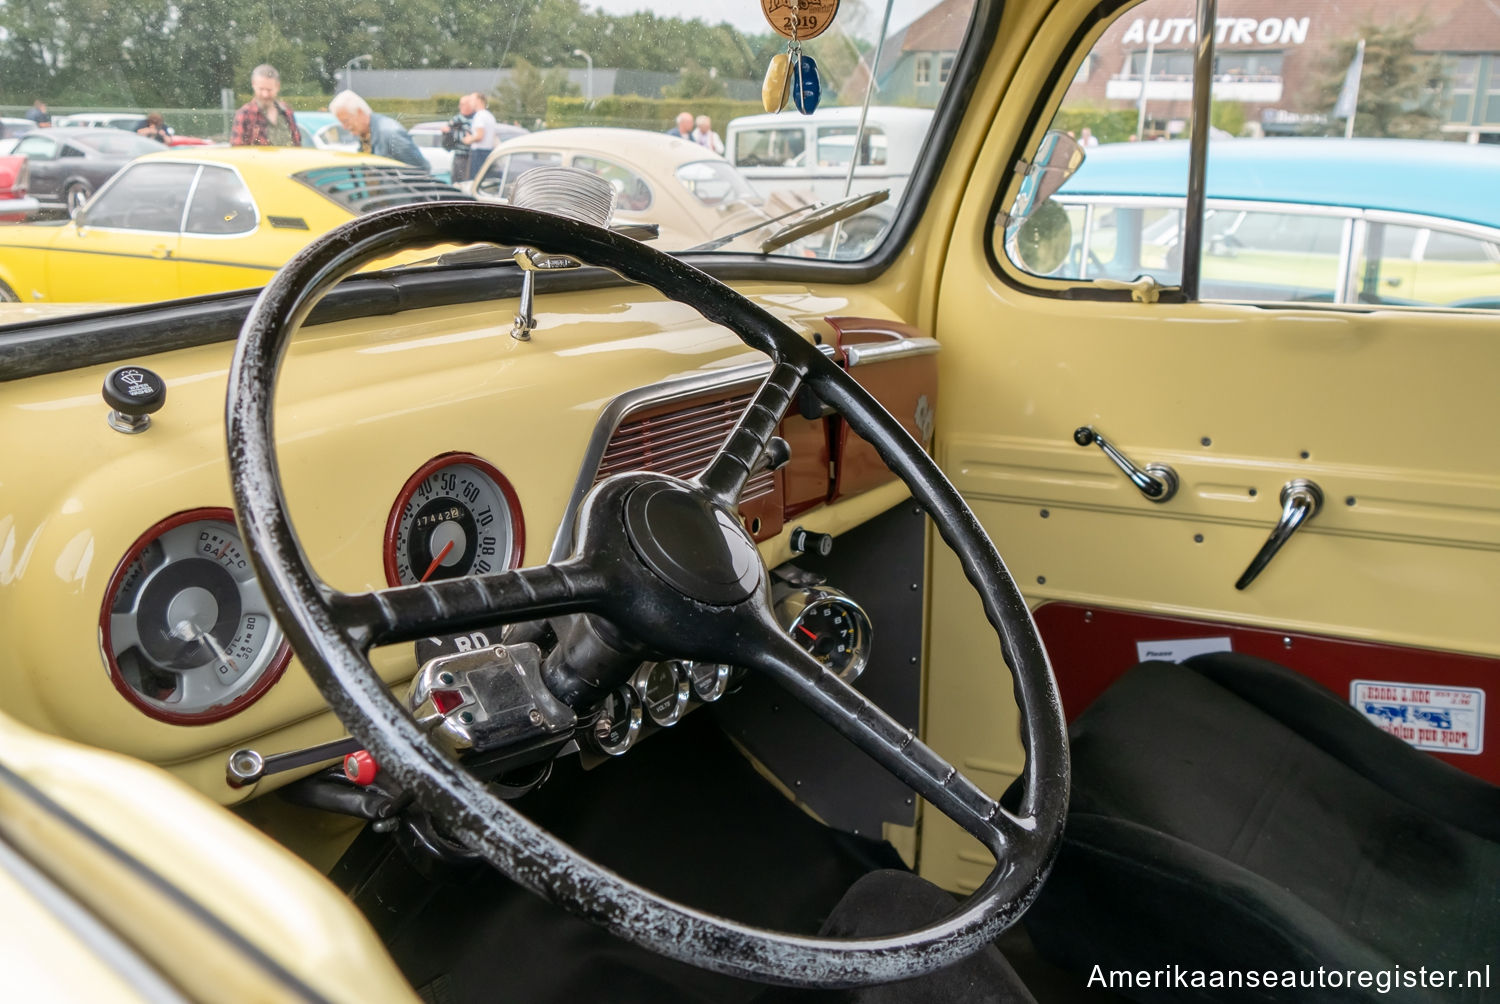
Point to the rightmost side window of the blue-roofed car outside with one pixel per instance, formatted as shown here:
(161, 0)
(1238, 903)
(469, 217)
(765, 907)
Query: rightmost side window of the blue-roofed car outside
(1429, 266)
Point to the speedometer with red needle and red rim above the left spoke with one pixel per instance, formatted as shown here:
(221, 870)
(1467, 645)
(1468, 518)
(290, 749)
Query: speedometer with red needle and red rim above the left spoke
(455, 517)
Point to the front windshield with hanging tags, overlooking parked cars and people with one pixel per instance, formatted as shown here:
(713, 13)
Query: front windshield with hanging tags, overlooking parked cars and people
(443, 89)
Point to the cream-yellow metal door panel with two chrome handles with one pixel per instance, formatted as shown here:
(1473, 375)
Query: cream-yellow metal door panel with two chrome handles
(1390, 412)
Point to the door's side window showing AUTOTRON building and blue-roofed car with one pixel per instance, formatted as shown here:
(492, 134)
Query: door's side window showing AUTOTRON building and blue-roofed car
(1315, 191)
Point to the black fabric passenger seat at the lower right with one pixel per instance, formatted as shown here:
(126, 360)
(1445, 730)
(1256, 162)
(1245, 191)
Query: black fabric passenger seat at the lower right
(1231, 816)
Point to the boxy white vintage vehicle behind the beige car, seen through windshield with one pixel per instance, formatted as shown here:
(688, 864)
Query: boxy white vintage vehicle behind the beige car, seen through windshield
(791, 151)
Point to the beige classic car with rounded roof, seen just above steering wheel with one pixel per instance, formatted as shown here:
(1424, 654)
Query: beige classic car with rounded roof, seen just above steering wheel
(691, 194)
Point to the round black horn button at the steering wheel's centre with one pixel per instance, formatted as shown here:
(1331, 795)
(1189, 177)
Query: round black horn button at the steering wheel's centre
(698, 549)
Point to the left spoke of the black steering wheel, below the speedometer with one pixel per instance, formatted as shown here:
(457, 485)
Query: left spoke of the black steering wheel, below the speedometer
(406, 613)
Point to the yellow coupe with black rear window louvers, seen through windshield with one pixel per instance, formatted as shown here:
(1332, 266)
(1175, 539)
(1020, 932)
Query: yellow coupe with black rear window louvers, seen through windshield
(182, 224)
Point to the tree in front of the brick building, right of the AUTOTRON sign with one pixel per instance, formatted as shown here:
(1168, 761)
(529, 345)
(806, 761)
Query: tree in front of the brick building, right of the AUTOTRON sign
(1400, 88)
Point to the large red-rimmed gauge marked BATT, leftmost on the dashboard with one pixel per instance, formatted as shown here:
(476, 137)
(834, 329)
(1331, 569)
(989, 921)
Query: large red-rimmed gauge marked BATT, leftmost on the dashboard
(185, 628)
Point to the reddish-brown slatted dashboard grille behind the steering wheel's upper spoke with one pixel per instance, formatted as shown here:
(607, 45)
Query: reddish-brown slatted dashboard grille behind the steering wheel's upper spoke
(680, 442)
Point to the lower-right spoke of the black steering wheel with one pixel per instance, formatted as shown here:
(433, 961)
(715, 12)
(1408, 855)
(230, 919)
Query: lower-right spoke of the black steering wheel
(886, 741)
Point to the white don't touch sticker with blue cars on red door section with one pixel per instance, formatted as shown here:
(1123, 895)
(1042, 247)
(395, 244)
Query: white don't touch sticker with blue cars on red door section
(1441, 720)
